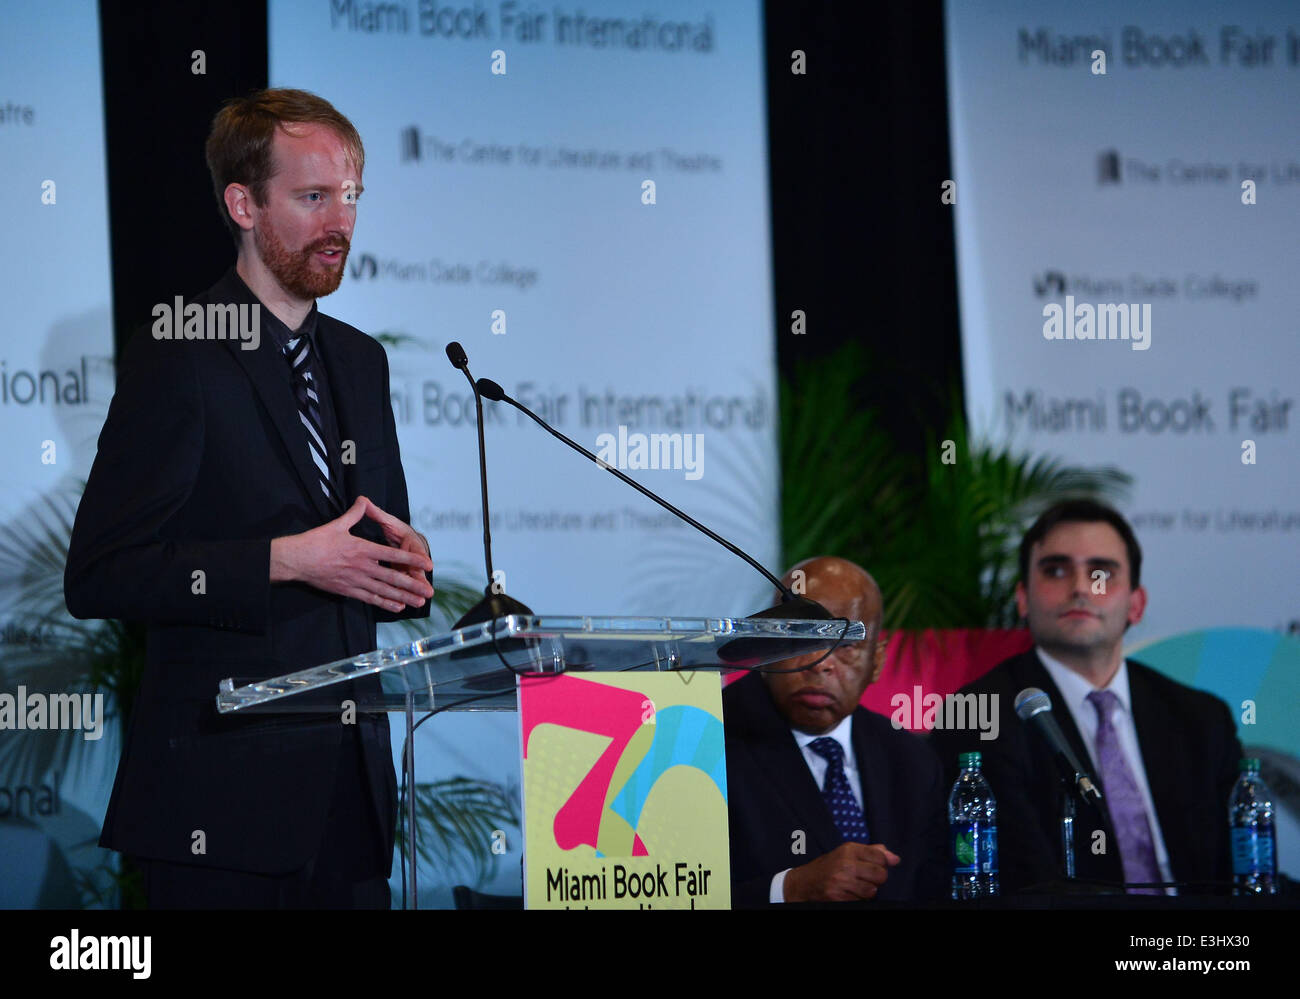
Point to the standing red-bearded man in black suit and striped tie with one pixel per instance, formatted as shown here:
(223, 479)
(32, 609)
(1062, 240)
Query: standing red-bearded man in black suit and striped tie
(249, 505)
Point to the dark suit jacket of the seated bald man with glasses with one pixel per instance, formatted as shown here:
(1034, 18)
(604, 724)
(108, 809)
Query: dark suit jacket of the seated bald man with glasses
(772, 797)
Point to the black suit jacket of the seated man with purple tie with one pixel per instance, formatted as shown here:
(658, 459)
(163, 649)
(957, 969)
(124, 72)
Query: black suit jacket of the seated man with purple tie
(1190, 750)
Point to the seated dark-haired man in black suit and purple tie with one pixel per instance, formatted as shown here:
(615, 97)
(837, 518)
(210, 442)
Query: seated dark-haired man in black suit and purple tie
(1165, 755)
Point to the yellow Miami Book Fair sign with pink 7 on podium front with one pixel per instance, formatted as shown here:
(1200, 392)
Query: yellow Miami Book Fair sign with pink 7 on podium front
(625, 792)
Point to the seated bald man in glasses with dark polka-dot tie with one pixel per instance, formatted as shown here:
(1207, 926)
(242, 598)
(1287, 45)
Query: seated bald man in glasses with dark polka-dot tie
(829, 802)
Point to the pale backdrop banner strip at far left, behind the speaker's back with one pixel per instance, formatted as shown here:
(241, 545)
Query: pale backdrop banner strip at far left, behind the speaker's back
(57, 379)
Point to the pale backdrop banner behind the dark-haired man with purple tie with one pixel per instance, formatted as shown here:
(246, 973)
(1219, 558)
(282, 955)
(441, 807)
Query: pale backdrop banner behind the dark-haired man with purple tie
(1126, 260)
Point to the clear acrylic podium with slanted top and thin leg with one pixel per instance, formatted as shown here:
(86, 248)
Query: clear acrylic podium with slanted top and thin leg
(475, 668)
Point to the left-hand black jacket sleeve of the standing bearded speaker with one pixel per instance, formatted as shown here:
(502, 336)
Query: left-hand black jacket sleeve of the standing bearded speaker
(122, 561)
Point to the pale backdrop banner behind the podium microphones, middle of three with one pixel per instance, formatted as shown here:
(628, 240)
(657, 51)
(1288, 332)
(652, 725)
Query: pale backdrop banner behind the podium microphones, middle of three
(580, 198)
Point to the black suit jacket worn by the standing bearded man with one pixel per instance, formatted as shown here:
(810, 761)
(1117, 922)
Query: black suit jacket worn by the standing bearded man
(202, 462)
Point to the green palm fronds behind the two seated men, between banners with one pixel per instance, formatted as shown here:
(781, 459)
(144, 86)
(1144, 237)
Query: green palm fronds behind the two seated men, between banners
(941, 538)
